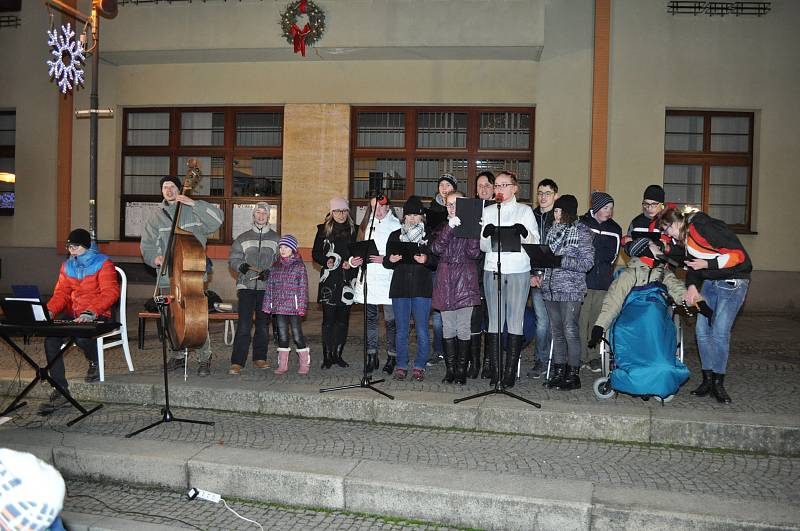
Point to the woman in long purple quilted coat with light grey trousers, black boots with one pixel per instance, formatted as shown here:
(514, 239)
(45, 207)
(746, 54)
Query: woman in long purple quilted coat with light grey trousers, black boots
(456, 292)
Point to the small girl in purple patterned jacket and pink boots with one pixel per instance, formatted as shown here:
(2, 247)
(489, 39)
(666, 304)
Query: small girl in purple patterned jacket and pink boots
(286, 298)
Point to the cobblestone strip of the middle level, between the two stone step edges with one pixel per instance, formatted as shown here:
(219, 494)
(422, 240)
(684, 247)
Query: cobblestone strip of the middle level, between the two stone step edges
(737, 476)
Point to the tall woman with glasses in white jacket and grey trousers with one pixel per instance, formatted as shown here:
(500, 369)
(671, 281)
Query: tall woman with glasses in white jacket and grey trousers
(515, 269)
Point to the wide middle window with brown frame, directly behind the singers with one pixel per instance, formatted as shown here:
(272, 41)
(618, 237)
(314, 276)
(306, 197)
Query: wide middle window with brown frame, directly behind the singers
(403, 151)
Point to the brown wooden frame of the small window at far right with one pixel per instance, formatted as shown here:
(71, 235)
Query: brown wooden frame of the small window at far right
(707, 158)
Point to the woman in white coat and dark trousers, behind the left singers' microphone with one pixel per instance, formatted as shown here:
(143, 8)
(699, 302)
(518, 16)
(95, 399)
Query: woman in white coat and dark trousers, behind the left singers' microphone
(378, 281)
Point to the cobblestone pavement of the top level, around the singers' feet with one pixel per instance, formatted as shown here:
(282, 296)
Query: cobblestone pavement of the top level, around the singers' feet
(763, 373)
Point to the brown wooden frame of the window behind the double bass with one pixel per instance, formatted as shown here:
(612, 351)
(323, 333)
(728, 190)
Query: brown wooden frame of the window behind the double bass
(228, 151)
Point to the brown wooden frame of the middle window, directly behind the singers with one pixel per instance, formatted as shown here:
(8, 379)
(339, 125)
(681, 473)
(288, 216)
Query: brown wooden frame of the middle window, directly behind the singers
(410, 152)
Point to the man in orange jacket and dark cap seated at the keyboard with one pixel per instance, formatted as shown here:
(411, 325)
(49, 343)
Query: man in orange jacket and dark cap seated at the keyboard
(87, 287)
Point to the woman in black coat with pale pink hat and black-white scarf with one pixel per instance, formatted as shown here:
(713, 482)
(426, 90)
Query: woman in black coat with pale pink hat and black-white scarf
(332, 251)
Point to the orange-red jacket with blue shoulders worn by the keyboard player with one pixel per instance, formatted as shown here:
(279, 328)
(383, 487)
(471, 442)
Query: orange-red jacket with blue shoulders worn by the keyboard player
(88, 284)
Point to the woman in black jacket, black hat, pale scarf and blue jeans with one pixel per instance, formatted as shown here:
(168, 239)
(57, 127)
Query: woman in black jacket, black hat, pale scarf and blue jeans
(411, 289)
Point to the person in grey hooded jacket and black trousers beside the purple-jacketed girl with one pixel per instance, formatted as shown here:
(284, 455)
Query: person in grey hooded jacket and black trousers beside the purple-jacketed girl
(251, 256)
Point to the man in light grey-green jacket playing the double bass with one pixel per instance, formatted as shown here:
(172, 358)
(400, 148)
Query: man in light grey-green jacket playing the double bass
(198, 217)
